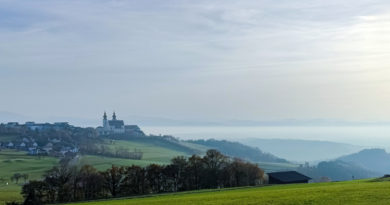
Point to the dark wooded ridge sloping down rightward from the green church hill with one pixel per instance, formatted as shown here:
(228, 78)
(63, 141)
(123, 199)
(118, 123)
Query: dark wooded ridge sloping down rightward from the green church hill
(235, 149)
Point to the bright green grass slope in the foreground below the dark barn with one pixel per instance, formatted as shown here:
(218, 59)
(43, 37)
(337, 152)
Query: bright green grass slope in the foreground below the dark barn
(351, 192)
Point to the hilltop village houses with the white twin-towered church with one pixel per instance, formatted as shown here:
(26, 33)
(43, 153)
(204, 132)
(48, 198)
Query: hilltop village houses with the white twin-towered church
(60, 138)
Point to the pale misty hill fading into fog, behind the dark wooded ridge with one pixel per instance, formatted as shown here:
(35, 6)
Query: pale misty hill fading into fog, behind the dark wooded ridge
(302, 150)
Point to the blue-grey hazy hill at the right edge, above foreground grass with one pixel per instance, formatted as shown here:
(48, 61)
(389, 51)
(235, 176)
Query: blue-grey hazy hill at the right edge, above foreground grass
(377, 160)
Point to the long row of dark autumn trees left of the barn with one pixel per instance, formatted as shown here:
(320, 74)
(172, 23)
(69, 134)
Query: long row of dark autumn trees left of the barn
(214, 170)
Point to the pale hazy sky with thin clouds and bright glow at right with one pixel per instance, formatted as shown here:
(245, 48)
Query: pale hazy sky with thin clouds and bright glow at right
(204, 60)
